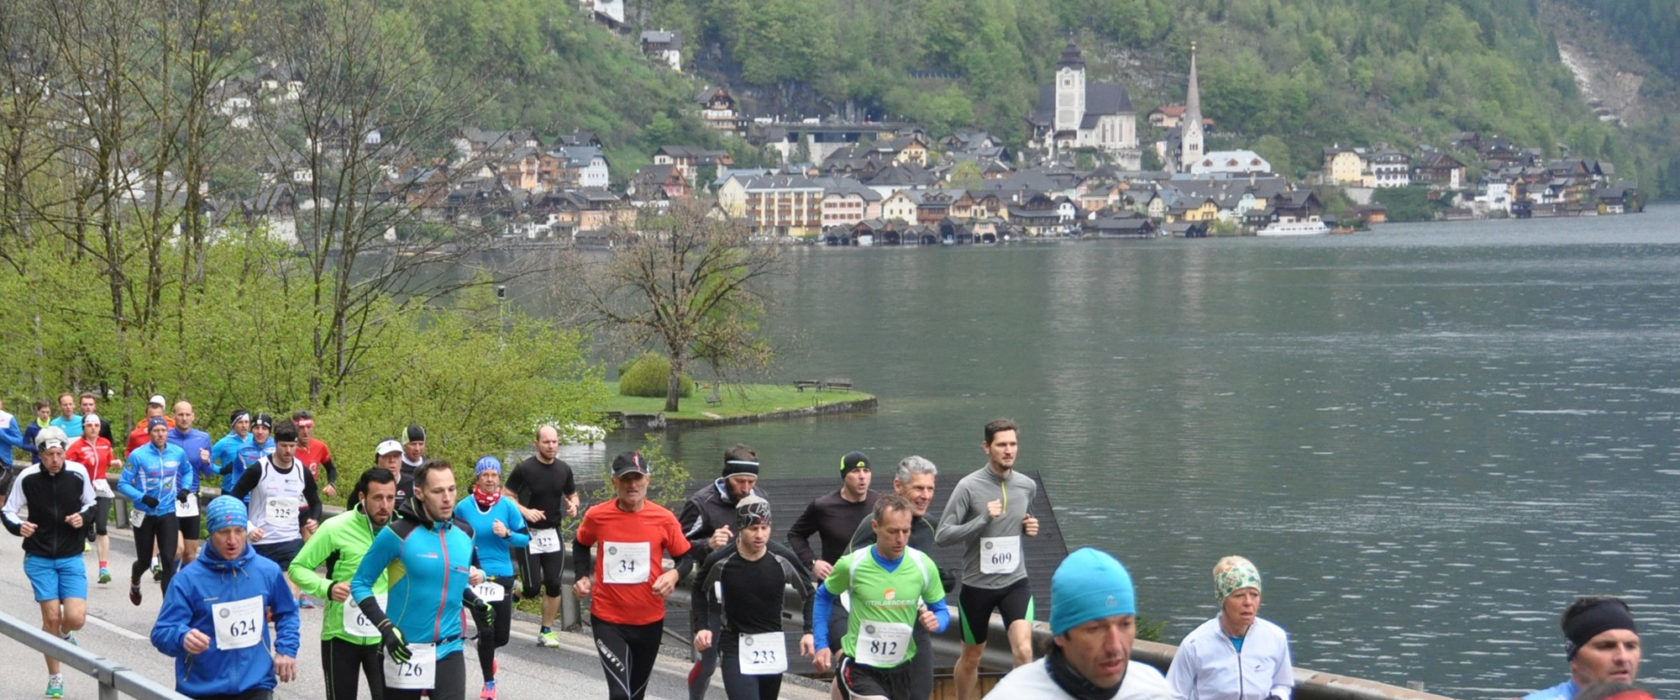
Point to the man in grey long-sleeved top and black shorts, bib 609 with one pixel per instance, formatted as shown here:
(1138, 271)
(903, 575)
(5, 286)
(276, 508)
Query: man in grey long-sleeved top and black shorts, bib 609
(989, 516)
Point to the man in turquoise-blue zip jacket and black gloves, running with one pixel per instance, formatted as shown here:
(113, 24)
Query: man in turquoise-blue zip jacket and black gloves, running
(429, 556)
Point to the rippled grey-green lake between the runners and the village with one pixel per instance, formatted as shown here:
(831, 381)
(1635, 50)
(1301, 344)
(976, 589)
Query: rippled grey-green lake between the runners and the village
(1429, 437)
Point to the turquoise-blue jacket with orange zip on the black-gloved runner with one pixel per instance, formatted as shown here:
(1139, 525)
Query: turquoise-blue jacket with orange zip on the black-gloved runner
(428, 565)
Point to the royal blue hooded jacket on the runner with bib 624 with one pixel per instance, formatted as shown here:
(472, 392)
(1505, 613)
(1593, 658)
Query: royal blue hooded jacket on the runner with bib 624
(187, 605)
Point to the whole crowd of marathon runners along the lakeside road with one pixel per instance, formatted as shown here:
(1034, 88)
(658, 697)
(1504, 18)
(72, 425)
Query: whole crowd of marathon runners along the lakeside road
(409, 560)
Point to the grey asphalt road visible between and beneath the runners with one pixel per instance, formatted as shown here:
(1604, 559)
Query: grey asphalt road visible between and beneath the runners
(120, 632)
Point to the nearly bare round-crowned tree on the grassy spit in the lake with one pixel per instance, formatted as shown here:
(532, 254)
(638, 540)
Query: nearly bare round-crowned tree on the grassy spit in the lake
(690, 283)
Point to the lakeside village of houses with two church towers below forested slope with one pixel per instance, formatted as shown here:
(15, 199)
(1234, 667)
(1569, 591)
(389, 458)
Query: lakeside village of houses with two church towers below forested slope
(1081, 175)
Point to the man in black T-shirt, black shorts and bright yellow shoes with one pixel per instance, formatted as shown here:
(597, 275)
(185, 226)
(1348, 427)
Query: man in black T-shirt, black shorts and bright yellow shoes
(542, 488)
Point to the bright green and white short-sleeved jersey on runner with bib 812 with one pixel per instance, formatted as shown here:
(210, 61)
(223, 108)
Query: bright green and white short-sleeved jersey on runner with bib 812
(885, 603)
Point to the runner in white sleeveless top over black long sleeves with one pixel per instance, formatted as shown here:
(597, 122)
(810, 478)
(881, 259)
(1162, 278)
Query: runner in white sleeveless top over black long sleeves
(285, 508)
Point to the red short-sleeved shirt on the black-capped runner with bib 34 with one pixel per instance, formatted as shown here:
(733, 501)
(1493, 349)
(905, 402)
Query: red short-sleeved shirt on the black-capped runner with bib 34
(606, 530)
